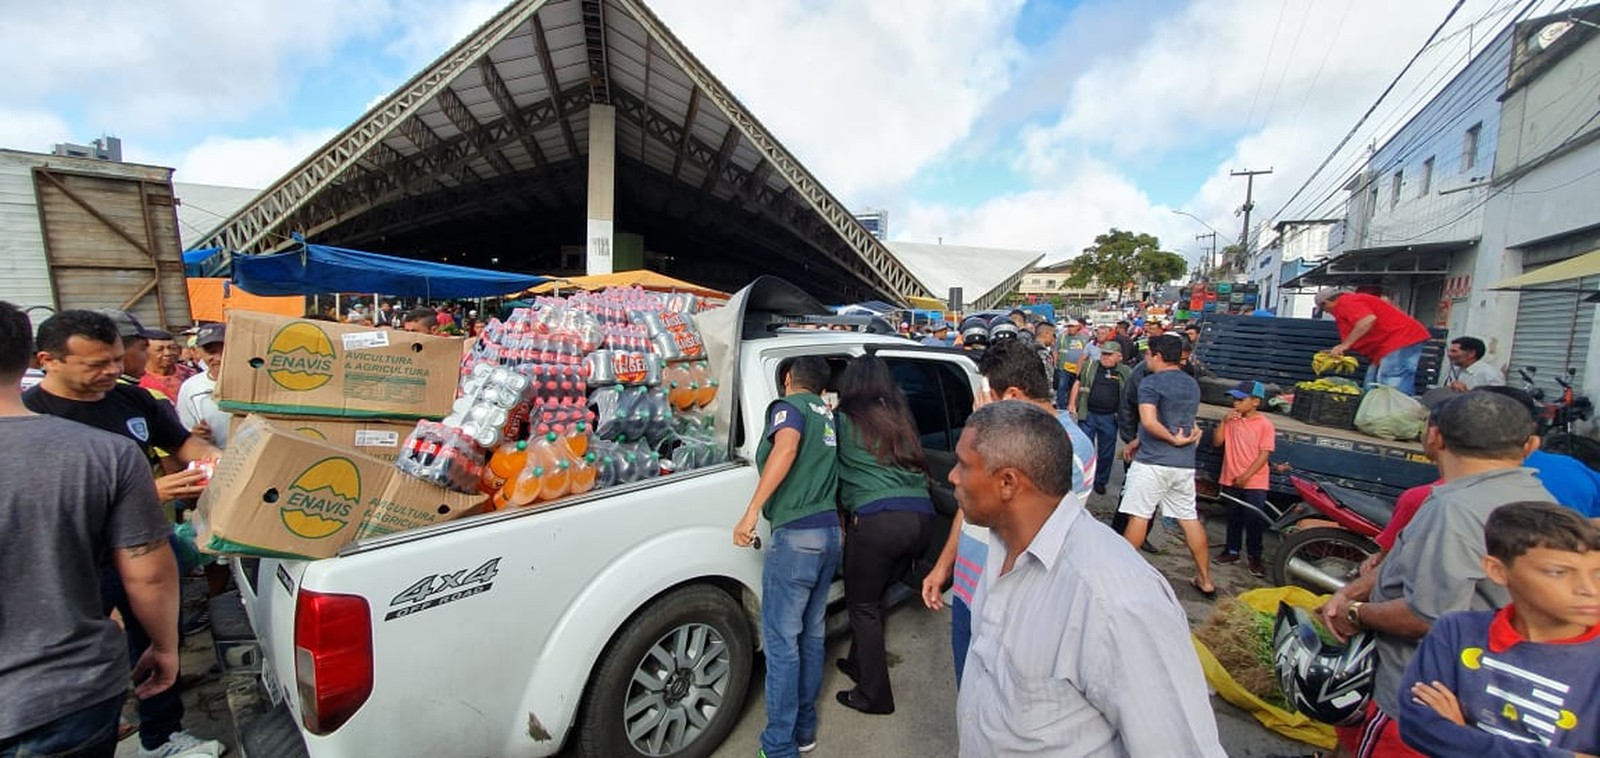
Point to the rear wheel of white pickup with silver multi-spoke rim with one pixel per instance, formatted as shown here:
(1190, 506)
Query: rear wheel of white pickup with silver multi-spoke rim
(674, 680)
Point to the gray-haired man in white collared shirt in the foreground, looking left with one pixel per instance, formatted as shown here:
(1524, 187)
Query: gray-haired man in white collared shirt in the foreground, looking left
(1079, 645)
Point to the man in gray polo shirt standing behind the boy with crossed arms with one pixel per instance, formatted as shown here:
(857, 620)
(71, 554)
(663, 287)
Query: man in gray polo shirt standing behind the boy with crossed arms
(1479, 442)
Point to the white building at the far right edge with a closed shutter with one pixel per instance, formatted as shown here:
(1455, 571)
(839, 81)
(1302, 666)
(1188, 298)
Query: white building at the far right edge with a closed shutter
(1543, 215)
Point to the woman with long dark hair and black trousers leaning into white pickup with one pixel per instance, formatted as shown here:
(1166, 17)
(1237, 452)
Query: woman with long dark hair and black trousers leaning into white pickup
(884, 484)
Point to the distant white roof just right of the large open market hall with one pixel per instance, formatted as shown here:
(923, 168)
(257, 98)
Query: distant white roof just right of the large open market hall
(986, 276)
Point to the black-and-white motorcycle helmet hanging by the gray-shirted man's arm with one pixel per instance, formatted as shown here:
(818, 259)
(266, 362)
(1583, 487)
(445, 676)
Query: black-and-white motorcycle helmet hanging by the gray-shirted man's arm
(1322, 680)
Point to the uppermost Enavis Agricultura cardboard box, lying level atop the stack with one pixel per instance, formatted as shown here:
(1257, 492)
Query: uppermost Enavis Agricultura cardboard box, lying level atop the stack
(294, 367)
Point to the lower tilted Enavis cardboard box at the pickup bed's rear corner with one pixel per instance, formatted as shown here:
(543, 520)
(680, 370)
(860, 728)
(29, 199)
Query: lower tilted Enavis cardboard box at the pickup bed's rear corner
(278, 493)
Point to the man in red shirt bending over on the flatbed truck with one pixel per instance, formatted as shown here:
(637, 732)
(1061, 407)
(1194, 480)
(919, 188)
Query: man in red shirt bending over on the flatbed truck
(1386, 337)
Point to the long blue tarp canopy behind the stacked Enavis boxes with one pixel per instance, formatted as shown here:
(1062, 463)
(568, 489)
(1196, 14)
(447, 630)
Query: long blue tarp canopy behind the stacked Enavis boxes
(314, 269)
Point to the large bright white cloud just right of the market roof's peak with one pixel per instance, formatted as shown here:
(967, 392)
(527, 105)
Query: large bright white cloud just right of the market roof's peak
(863, 94)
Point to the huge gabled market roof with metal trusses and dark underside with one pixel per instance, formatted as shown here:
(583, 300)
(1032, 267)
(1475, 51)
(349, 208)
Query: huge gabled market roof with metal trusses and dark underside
(482, 159)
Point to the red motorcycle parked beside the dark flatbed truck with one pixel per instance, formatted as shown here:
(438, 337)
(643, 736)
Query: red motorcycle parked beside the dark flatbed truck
(1326, 559)
